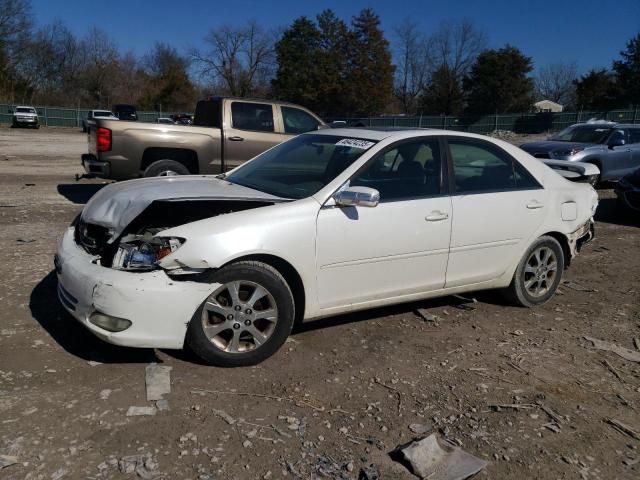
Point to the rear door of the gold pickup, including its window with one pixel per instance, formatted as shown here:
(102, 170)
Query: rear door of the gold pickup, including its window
(249, 132)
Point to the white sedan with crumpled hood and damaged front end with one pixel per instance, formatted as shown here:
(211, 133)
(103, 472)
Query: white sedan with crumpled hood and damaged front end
(328, 222)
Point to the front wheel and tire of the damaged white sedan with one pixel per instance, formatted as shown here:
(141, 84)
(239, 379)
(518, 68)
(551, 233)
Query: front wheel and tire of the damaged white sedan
(228, 332)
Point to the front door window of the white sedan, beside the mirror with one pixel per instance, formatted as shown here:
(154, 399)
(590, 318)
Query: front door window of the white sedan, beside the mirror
(409, 170)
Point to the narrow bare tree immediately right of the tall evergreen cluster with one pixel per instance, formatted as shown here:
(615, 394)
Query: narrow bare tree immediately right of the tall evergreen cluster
(411, 70)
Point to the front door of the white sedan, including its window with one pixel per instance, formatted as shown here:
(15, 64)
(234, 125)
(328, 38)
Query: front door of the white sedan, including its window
(401, 246)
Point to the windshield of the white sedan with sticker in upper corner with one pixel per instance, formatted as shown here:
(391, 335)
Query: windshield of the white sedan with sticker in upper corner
(302, 166)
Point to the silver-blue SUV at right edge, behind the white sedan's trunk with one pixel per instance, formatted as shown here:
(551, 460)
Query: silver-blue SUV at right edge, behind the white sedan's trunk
(613, 147)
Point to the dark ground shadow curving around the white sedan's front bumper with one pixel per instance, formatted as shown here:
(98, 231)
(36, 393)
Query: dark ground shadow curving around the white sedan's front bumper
(73, 337)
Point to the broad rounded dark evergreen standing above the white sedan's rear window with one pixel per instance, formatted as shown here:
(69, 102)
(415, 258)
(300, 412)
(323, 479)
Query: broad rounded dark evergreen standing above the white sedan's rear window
(499, 82)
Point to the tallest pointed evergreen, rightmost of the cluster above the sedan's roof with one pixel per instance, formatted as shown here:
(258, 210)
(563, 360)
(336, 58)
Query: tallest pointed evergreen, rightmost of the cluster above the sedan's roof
(370, 77)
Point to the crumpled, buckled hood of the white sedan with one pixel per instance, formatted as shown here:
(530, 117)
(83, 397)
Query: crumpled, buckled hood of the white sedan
(118, 204)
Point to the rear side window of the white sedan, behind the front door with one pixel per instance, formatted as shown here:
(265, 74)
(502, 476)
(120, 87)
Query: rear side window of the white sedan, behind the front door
(478, 167)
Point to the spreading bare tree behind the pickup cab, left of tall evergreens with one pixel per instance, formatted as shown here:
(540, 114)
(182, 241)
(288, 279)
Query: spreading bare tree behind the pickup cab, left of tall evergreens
(239, 58)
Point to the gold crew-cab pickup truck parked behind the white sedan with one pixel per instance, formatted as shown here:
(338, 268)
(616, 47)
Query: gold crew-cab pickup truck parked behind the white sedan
(225, 133)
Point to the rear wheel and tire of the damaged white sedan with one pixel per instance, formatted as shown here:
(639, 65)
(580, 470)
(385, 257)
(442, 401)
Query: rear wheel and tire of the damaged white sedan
(532, 283)
